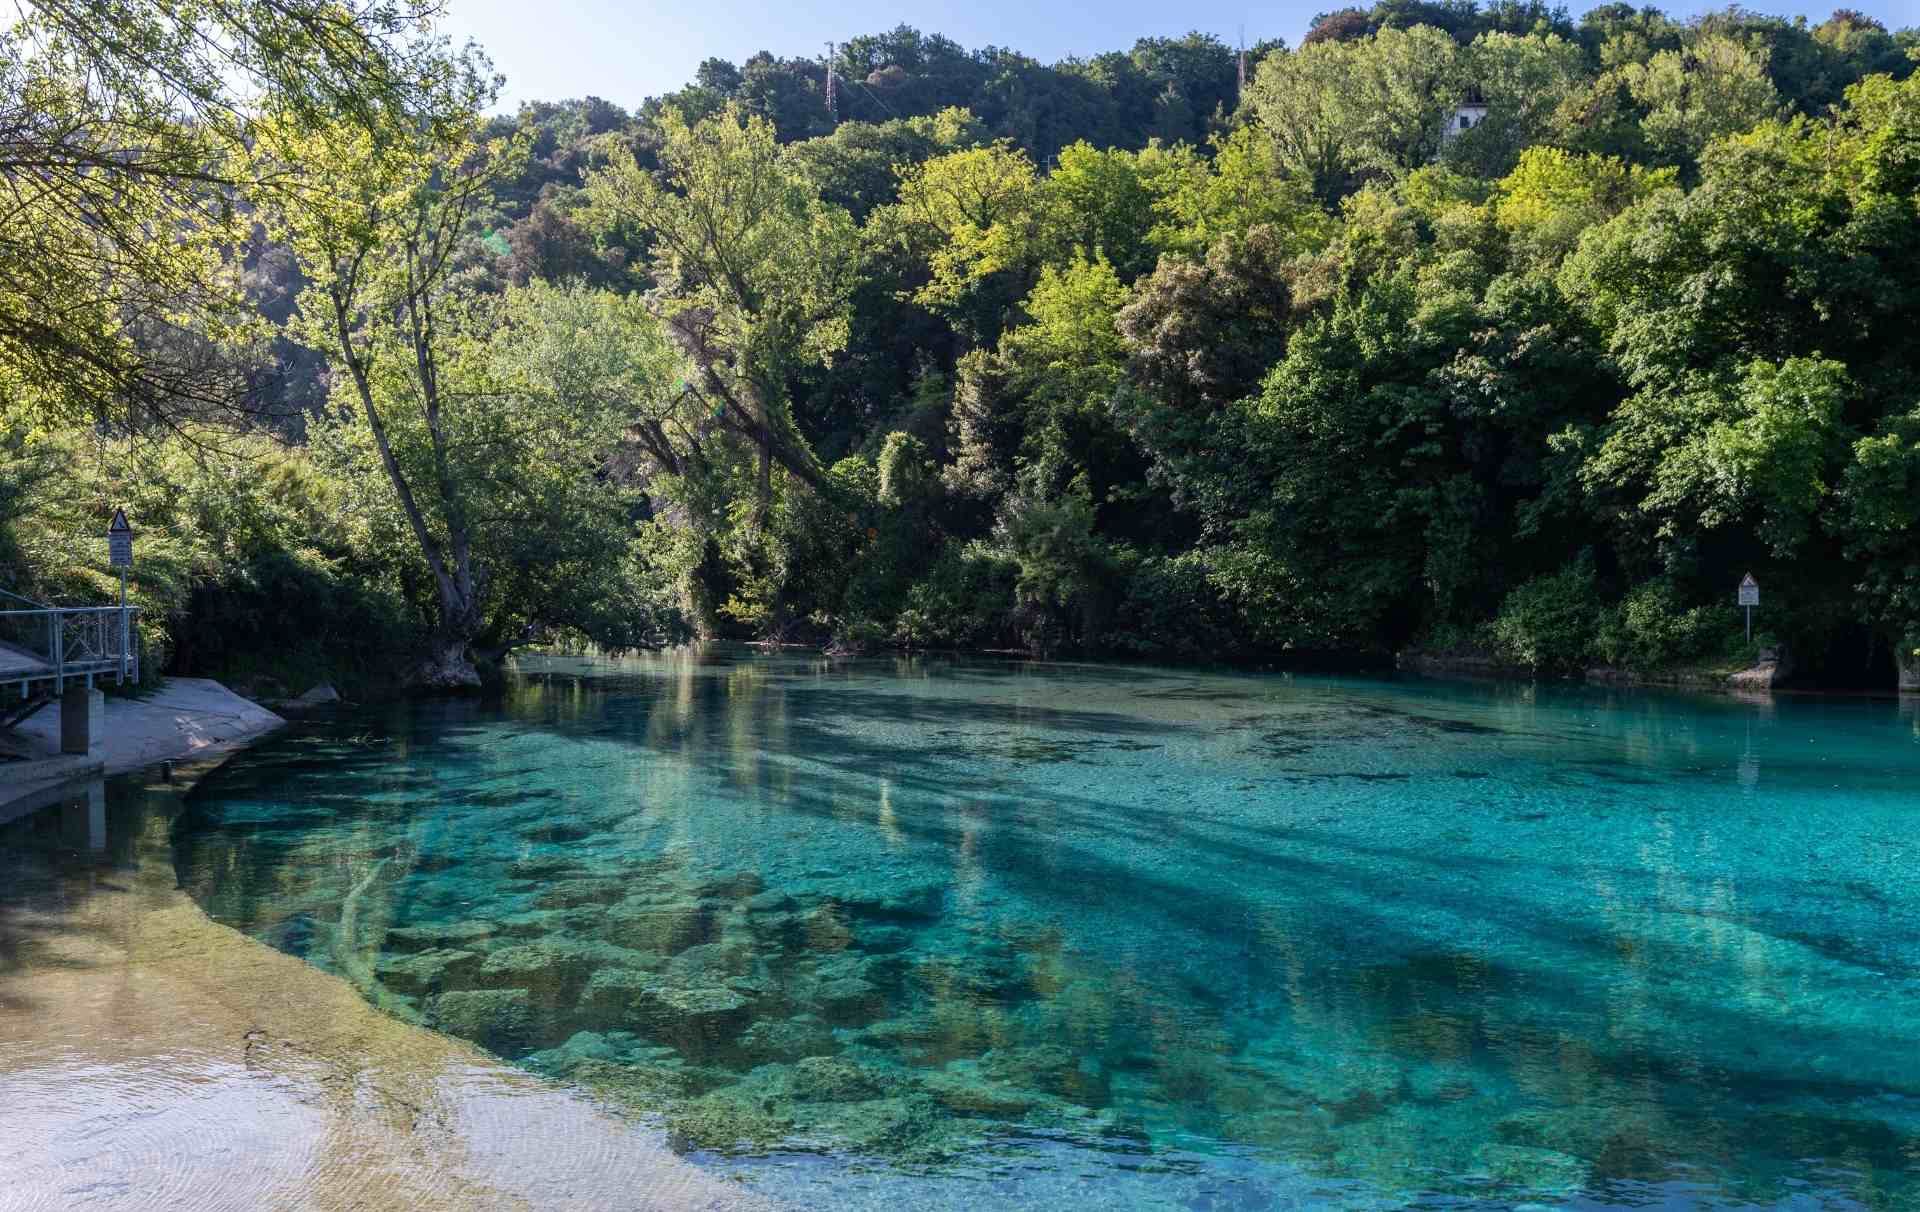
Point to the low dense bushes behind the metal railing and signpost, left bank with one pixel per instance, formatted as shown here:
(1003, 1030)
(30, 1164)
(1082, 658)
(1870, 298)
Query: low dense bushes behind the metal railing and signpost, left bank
(247, 562)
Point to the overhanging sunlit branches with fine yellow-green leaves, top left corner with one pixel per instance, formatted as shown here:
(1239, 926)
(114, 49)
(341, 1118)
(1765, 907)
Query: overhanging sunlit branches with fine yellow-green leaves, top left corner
(130, 155)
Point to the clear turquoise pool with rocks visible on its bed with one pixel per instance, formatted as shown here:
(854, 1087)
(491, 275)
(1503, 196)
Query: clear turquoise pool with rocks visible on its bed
(974, 934)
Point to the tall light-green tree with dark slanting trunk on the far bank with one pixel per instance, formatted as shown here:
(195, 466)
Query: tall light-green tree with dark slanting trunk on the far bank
(754, 276)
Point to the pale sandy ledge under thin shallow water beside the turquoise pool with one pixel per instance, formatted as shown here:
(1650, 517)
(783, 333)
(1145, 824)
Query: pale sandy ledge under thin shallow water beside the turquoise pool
(155, 1059)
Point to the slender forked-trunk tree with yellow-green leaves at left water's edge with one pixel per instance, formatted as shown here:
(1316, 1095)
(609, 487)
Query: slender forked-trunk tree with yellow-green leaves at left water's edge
(375, 222)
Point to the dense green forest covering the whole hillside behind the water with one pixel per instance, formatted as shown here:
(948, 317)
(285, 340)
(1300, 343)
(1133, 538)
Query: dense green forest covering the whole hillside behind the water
(1464, 327)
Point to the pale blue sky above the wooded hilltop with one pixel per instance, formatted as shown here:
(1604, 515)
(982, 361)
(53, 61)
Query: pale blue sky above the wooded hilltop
(625, 53)
